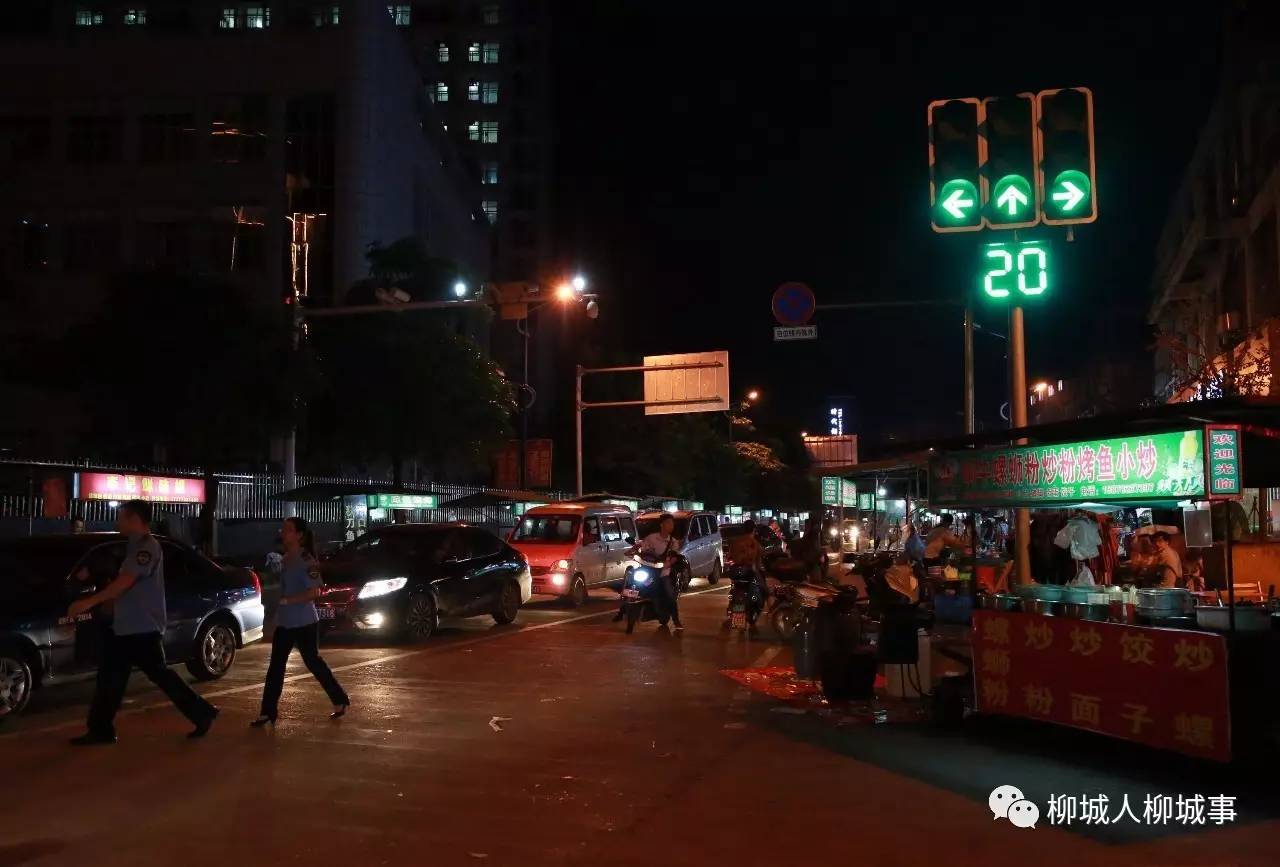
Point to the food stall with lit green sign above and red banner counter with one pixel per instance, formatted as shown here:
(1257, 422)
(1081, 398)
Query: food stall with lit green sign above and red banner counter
(1145, 665)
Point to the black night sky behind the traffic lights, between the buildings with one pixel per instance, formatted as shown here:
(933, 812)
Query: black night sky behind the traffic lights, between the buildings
(707, 157)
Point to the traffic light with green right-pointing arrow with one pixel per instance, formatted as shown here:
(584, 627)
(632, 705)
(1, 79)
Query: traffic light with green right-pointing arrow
(1067, 171)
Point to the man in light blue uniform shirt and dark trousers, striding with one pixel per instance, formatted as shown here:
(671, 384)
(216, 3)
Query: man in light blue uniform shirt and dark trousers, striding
(136, 636)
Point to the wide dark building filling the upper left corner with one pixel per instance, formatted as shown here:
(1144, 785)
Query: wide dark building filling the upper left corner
(269, 142)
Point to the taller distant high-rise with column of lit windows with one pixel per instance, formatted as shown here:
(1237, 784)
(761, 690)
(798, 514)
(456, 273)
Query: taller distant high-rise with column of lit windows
(487, 67)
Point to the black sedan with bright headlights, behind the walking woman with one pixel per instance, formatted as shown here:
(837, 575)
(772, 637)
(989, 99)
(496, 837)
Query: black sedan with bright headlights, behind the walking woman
(401, 579)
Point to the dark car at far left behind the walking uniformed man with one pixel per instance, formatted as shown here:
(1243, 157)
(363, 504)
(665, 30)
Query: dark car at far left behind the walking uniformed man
(213, 610)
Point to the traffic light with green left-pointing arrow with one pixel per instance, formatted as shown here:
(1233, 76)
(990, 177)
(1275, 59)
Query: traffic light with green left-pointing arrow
(956, 158)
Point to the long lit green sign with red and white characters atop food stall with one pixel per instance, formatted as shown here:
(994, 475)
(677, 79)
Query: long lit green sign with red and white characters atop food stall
(1151, 467)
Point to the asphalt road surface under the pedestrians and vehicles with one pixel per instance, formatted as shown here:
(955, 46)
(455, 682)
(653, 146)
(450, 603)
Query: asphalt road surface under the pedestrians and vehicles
(561, 741)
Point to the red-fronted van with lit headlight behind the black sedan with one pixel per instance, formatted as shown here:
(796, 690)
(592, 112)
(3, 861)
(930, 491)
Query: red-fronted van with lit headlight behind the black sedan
(573, 547)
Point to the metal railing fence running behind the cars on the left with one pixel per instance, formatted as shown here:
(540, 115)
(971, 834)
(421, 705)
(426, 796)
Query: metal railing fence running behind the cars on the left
(244, 496)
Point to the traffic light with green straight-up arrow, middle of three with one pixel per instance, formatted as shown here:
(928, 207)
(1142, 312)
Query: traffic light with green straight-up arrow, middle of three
(1009, 166)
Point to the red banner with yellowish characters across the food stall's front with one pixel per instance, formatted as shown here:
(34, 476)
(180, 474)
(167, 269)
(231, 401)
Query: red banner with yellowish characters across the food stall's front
(1165, 688)
